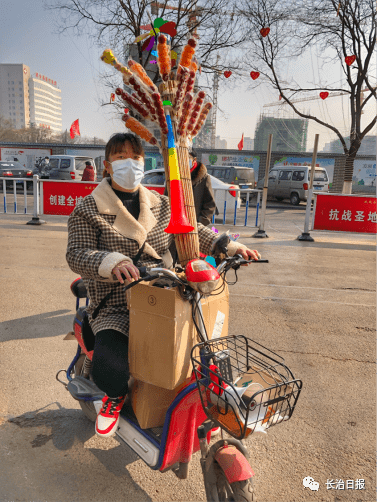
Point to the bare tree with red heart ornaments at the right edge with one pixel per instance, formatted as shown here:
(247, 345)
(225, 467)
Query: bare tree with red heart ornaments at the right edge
(338, 29)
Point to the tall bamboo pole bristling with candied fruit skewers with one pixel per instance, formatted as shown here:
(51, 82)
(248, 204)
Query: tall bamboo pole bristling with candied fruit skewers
(186, 115)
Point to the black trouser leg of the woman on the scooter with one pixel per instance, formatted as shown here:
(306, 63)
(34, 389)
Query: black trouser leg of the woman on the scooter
(110, 368)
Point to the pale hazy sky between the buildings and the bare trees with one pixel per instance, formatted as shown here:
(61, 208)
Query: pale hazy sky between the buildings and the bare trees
(29, 36)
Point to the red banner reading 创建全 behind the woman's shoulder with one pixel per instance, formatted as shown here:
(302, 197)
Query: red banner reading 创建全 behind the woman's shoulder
(61, 197)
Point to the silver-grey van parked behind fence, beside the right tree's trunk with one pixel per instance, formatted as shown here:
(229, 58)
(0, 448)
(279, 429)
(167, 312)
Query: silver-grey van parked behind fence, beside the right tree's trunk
(292, 182)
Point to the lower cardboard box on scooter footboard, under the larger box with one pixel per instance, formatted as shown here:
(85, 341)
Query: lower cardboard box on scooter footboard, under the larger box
(150, 403)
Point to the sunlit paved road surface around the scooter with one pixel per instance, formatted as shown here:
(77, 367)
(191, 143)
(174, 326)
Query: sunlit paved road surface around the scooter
(314, 304)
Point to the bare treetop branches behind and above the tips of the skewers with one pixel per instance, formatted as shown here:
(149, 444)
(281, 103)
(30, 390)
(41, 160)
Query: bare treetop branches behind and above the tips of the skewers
(117, 23)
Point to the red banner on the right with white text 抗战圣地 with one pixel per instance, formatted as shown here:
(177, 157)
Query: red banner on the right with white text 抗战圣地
(345, 213)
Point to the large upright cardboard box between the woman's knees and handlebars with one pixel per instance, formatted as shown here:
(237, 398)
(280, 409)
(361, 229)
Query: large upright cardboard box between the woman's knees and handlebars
(162, 332)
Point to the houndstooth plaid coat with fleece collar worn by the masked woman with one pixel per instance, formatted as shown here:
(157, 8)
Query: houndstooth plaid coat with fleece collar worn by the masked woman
(102, 233)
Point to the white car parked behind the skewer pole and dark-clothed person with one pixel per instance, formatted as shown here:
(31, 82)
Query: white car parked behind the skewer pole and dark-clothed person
(155, 180)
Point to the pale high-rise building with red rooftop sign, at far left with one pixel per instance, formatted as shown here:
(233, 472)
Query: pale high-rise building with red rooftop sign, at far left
(29, 100)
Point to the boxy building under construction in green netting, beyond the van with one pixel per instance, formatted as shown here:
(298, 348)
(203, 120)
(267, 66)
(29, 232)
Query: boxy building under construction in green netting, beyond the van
(289, 135)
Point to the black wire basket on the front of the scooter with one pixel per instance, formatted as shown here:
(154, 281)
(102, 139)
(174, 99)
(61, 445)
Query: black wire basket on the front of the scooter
(244, 387)
